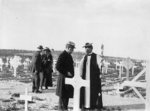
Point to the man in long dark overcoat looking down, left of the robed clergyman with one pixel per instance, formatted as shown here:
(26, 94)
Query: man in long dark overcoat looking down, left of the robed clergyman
(65, 68)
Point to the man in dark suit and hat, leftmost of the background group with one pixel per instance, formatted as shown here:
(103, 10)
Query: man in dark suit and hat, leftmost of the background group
(36, 69)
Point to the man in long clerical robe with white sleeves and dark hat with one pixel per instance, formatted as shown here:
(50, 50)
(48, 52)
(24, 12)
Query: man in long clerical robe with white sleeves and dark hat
(90, 69)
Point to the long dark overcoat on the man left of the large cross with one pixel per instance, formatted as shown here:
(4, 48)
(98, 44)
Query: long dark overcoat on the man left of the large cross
(64, 65)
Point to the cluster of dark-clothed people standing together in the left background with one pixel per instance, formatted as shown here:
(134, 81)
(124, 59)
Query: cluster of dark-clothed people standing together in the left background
(41, 68)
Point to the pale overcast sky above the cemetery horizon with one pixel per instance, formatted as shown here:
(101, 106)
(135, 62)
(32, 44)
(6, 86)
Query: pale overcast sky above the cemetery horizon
(123, 26)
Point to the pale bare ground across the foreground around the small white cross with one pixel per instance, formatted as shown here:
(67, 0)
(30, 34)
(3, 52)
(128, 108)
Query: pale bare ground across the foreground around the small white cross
(10, 90)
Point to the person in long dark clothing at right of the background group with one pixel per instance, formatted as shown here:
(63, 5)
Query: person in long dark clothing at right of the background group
(48, 68)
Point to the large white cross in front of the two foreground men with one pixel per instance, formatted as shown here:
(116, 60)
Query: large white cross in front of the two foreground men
(77, 82)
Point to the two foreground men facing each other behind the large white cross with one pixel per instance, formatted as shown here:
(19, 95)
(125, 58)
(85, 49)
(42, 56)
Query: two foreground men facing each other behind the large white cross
(90, 69)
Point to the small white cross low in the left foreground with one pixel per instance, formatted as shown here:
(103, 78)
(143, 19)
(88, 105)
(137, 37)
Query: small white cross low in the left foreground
(27, 98)
